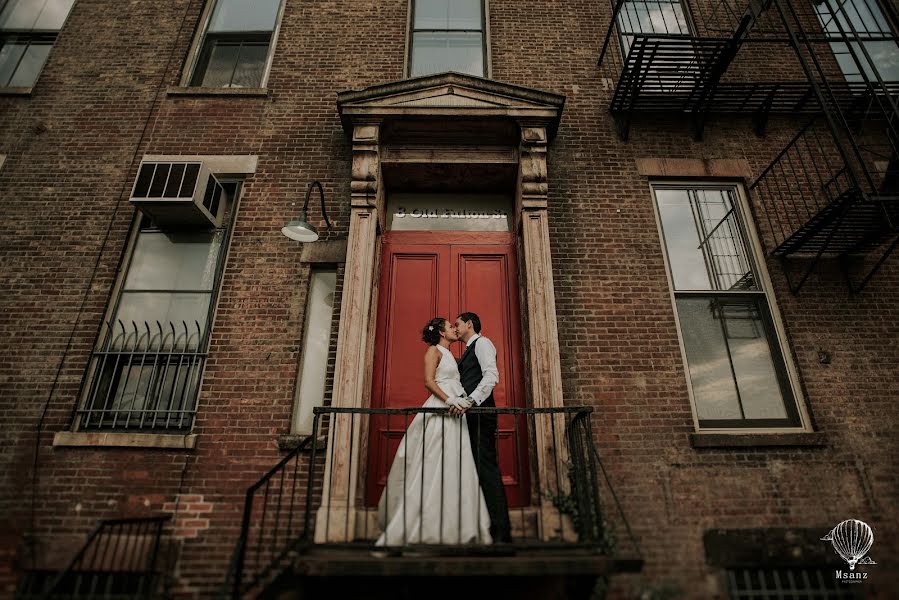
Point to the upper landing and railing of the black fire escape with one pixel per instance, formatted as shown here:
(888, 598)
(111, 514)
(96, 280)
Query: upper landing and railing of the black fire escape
(704, 57)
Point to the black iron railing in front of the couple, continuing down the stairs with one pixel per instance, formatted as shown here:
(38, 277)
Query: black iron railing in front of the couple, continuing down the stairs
(556, 488)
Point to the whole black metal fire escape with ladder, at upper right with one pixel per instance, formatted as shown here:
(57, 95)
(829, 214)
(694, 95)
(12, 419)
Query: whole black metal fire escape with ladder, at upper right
(833, 190)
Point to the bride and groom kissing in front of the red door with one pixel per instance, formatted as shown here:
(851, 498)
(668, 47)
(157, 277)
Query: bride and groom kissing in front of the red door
(445, 485)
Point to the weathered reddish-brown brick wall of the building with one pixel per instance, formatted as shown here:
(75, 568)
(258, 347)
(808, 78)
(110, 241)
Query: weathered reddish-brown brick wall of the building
(72, 151)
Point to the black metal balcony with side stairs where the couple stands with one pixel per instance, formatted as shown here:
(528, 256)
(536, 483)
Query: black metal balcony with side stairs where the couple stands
(569, 524)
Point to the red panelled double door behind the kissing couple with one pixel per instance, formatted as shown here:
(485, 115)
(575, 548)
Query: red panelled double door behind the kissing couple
(426, 274)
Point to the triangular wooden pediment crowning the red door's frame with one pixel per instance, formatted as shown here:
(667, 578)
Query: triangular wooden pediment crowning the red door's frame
(449, 95)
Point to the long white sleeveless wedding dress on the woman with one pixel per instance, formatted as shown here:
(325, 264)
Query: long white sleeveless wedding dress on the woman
(433, 495)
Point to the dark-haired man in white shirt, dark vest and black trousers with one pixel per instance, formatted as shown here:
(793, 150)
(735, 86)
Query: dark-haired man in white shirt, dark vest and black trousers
(479, 374)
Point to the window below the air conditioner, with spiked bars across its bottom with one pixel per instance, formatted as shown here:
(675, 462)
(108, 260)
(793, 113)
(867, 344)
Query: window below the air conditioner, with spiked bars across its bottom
(145, 372)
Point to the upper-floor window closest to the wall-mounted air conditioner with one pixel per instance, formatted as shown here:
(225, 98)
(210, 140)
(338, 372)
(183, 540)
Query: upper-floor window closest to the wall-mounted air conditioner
(237, 43)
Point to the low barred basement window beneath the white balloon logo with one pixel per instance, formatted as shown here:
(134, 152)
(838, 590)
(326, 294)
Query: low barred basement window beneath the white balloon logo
(794, 582)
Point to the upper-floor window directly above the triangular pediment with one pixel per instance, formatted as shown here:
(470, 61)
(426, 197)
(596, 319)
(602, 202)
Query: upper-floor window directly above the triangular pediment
(448, 35)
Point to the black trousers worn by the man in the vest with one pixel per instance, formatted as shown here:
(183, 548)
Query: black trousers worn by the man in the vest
(482, 432)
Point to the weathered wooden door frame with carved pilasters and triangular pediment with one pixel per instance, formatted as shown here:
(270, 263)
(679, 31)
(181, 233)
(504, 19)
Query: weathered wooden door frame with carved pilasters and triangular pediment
(451, 97)
